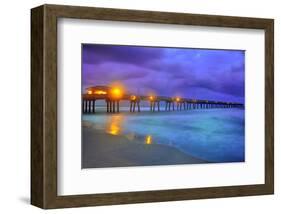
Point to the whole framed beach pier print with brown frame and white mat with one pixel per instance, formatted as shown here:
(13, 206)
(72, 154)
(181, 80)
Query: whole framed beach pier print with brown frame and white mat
(140, 106)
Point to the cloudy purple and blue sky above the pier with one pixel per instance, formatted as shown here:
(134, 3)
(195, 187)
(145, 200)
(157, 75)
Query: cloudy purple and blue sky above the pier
(208, 74)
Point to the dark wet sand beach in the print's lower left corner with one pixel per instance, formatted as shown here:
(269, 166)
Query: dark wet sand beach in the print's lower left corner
(100, 149)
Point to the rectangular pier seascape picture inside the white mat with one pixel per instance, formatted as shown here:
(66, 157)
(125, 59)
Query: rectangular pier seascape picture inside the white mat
(147, 106)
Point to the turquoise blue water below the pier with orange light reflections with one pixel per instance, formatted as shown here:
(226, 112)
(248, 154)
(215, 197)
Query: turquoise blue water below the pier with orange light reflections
(214, 135)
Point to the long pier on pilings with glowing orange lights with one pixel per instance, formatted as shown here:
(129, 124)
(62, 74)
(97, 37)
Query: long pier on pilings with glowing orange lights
(113, 96)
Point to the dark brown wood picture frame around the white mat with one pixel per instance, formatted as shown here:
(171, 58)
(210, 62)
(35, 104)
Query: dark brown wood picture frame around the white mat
(44, 106)
